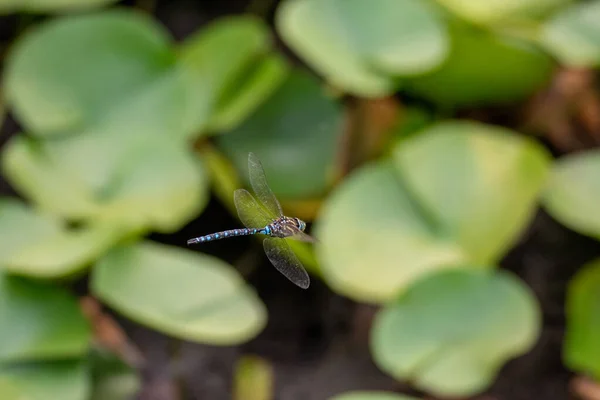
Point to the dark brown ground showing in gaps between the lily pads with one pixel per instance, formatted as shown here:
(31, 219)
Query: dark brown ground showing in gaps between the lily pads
(316, 340)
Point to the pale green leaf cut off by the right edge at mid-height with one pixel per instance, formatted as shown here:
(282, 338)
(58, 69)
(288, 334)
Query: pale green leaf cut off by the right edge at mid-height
(573, 193)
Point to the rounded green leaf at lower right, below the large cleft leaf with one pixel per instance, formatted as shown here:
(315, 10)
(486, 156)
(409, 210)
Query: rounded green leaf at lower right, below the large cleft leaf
(451, 332)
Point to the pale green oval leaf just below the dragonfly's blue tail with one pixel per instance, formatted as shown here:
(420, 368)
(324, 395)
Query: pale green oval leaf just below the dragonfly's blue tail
(187, 295)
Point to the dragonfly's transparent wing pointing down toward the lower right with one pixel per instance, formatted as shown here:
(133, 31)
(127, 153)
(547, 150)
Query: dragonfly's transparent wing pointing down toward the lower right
(285, 261)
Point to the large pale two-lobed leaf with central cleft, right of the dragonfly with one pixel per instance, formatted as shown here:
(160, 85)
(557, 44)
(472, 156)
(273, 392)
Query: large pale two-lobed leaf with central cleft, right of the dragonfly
(457, 193)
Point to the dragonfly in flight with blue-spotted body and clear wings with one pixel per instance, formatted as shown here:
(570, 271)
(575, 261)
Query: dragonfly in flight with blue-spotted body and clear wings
(265, 217)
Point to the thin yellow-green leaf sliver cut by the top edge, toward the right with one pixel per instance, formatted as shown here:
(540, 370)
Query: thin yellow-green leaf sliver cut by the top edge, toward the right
(497, 11)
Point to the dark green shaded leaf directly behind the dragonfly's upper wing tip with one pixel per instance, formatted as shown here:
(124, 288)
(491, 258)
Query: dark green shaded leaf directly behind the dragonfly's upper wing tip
(294, 134)
